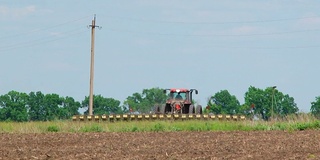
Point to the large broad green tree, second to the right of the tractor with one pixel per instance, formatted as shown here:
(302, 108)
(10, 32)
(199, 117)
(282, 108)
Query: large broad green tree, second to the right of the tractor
(270, 102)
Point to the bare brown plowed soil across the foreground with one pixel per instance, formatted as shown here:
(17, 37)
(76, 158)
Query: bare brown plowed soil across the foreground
(163, 145)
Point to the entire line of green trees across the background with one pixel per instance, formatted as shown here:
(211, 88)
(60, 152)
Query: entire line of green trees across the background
(37, 106)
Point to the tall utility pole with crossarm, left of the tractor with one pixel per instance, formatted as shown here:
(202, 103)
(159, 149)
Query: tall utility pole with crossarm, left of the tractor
(92, 26)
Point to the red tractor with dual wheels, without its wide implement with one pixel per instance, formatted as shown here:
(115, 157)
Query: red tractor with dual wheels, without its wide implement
(179, 102)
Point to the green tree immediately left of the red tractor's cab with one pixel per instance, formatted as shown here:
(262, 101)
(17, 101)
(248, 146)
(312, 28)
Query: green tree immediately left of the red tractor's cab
(145, 101)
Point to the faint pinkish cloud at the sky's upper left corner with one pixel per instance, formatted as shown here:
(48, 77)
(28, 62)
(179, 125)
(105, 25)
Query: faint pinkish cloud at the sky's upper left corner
(16, 12)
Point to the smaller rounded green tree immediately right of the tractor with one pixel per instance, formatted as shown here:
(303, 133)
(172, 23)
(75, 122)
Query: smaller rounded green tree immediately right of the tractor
(224, 103)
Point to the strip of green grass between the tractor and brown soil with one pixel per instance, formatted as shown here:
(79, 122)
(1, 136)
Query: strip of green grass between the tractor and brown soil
(154, 126)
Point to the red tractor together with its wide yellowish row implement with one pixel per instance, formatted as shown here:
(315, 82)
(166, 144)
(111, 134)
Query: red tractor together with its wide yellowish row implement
(178, 106)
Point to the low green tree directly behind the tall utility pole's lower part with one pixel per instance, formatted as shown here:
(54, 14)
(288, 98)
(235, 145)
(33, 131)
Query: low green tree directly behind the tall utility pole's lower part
(102, 105)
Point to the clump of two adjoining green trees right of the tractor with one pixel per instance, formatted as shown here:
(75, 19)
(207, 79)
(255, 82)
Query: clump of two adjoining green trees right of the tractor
(263, 103)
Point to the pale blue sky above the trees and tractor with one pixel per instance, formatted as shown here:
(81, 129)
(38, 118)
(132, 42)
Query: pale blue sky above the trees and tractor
(208, 45)
